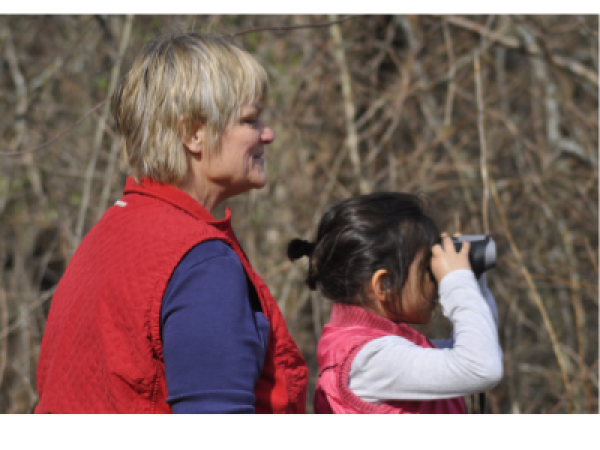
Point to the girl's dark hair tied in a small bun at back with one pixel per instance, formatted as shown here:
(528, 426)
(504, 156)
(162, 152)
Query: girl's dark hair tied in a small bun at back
(360, 235)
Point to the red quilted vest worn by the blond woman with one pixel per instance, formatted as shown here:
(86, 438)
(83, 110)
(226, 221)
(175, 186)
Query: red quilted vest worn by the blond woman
(101, 351)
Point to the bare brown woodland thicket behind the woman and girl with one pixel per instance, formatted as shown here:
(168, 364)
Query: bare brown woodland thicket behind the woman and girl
(493, 118)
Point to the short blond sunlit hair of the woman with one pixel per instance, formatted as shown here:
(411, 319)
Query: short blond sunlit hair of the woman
(178, 82)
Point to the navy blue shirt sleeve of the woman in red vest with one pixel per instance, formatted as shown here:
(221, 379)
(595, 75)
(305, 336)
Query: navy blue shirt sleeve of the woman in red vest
(214, 334)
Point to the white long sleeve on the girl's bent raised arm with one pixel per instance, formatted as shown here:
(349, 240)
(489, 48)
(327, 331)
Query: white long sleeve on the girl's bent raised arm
(393, 368)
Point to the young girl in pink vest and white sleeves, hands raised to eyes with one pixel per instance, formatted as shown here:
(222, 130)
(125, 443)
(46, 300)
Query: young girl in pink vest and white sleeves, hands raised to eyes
(376, 258)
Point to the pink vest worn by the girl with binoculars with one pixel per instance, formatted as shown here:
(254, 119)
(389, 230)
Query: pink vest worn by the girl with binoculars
(348, 330)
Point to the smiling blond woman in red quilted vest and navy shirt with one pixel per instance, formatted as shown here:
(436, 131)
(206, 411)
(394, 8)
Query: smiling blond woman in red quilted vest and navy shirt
(159, 309)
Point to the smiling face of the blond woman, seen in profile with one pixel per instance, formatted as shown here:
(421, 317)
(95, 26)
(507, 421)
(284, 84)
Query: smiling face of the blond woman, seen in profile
(240, 166)
